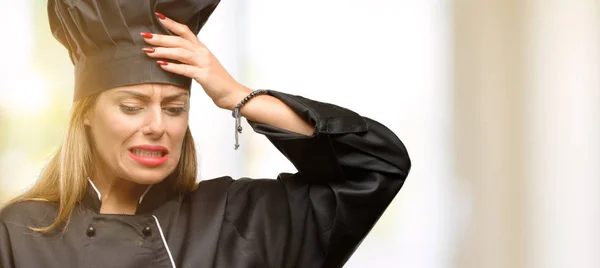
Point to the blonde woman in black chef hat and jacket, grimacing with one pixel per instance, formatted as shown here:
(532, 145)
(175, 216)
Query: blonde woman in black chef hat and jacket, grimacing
(121, 191)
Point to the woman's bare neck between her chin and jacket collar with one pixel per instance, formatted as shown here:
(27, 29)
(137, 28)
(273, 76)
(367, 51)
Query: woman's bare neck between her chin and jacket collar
(118, 196)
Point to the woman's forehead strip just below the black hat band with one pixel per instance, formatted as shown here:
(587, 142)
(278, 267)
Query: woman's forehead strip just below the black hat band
(151, 90)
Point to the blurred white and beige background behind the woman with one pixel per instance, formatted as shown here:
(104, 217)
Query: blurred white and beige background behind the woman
(497, 101)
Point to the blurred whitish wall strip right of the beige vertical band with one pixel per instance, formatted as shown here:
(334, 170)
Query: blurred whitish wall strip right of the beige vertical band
(564, 133)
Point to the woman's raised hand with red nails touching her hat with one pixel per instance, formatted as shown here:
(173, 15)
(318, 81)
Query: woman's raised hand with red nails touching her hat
(196, 62)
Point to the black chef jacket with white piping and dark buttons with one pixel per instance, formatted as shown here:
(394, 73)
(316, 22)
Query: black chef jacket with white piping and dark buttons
(349, 171)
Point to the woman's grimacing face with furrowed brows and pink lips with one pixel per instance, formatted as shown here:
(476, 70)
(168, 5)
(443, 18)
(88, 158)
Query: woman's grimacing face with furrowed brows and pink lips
(138, 131)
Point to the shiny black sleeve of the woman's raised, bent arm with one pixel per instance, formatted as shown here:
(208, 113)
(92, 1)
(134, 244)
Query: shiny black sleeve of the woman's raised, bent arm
(349, 171)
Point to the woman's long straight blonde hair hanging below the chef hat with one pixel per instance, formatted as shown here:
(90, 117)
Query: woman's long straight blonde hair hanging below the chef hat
(64, 180)
